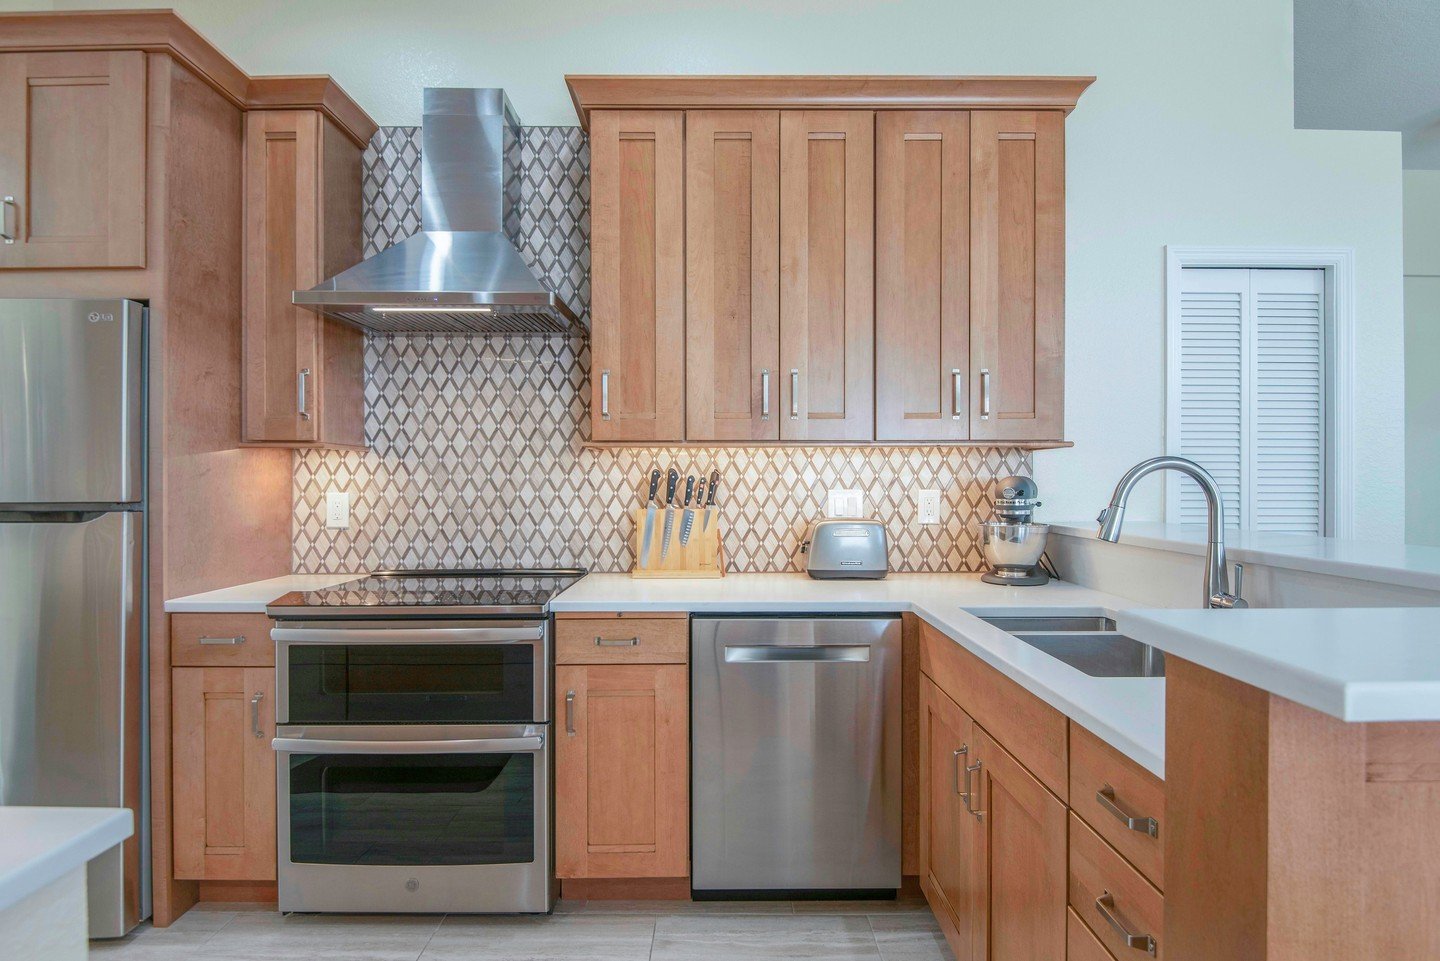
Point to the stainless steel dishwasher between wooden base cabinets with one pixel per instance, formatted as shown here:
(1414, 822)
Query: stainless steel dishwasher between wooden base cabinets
(796, 756)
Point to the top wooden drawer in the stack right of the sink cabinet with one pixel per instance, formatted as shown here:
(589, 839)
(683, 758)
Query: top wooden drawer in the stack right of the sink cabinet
(1108, 790)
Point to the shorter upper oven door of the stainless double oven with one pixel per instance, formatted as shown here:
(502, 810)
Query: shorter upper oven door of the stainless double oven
(413, 675)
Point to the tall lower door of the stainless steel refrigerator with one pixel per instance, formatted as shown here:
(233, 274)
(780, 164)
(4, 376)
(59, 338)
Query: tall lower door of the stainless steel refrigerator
(70, 684)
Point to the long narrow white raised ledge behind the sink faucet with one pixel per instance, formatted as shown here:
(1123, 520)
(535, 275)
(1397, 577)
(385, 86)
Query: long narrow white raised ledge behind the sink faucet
(1405, 566)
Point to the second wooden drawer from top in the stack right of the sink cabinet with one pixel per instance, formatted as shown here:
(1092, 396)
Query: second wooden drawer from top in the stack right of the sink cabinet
(1102, 884)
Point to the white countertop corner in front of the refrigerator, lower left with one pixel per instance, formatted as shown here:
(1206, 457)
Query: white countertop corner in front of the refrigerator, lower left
(41, 845)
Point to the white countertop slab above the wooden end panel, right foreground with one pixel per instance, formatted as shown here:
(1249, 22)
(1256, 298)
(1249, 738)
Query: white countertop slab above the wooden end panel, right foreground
(1354, 663)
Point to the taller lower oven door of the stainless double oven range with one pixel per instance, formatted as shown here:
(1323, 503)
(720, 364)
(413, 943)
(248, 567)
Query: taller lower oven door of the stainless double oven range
(415, 819)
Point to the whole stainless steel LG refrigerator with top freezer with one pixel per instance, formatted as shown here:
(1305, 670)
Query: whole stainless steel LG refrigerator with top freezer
(73, 576)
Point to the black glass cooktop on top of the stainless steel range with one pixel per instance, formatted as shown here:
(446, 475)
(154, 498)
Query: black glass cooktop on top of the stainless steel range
(433, 593)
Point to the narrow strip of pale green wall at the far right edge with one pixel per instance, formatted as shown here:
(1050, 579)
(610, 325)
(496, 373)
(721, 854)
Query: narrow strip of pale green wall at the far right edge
(1423, 357)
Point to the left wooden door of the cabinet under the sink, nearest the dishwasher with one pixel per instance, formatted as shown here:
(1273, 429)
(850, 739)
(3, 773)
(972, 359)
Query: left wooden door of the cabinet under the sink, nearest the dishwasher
(948, 832)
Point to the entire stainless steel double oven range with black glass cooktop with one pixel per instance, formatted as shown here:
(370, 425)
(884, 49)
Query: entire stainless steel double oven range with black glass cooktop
(414, 743)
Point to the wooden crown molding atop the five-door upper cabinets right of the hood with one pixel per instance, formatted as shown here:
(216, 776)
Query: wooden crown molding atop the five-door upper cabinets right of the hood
(591, 93)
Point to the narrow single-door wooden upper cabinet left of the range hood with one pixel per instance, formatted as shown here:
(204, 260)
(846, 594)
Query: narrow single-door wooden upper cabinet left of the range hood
(305, 383)
